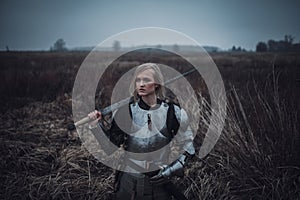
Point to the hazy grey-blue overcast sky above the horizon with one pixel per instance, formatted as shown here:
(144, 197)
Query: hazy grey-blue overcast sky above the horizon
(37, 24)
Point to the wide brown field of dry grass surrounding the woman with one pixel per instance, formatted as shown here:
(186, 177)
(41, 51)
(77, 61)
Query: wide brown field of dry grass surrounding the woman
(257, 156)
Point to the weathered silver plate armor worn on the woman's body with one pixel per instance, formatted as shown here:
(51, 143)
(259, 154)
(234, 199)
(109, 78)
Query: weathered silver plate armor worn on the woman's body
(143, 130)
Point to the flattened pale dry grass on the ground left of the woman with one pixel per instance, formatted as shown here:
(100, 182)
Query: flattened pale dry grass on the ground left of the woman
(41, 159)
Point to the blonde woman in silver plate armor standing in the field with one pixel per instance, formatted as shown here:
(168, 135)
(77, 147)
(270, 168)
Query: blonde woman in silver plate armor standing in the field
(153, 124)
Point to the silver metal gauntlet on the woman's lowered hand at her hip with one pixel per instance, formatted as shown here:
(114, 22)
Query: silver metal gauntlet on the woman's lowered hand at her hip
(168, 171)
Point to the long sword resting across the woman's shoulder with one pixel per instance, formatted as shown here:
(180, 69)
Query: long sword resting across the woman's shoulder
(123, 102)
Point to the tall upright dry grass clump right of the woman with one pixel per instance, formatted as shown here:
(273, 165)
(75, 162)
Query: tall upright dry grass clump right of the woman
(257, 156)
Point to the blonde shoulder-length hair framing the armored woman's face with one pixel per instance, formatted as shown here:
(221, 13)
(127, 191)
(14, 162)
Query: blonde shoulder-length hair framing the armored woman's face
(158, 79)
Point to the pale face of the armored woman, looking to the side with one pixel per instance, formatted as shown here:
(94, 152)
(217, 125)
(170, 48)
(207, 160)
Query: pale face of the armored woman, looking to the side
(145, 84)
